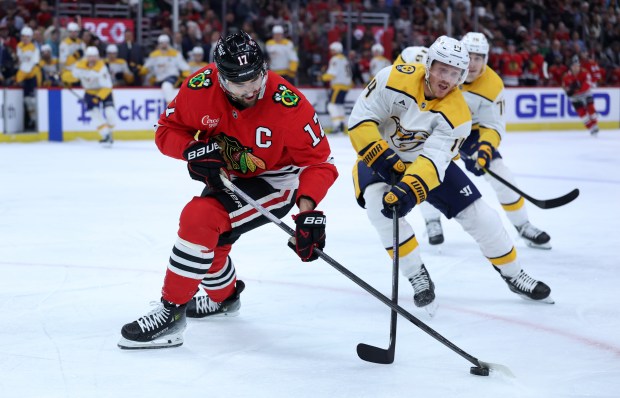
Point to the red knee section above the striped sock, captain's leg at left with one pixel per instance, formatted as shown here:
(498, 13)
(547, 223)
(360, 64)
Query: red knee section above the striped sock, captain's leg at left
(203, 220)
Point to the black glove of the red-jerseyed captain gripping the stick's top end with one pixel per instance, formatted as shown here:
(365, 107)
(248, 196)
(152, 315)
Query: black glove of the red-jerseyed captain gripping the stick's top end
(204, 163)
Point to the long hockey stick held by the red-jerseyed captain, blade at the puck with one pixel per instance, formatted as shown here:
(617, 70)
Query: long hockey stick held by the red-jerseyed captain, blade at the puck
(481, 368)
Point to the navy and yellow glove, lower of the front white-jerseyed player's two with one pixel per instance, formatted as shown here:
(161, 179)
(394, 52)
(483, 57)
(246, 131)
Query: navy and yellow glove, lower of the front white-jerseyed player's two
(406, 194)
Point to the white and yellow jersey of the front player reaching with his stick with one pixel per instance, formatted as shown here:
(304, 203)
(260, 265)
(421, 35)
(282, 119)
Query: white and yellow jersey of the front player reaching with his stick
(425, 133)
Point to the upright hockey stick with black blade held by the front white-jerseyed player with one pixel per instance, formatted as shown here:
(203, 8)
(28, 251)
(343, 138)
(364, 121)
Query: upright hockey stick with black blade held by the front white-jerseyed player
(371, 353)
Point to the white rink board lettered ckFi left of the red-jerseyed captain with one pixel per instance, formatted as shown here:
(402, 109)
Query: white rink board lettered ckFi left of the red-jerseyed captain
(136, 109)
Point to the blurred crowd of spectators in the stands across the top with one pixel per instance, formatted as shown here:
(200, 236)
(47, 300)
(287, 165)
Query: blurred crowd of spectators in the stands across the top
(532, 41)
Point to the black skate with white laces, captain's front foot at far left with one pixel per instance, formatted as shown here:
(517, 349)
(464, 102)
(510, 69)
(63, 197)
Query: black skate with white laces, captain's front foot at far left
(161, 328)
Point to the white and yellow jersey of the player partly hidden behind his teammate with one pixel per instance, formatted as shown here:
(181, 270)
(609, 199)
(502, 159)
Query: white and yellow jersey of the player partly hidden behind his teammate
(485, 98)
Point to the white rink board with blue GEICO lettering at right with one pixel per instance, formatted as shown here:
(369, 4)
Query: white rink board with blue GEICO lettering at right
(550, 105)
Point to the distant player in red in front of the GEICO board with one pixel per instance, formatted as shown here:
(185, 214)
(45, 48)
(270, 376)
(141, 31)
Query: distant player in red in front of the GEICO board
(577, 83)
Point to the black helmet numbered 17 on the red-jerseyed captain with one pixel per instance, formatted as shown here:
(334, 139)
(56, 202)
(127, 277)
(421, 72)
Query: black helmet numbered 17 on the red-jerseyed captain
(239, 58)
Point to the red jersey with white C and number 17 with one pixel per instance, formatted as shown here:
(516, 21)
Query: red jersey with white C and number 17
(279, 136)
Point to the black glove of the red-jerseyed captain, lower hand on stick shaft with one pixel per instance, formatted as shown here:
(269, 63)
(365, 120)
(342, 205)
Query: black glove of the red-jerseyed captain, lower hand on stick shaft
(309, 234)
